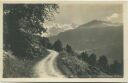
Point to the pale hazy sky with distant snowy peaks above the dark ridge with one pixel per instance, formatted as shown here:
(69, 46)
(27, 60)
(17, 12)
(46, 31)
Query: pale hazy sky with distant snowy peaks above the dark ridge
(79, 14)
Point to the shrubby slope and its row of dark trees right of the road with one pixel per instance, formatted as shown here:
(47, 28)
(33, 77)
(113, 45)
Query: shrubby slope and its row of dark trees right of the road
(85, 65)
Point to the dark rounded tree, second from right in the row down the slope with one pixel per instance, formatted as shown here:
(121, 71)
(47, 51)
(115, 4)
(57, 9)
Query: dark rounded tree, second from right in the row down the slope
(103, 64)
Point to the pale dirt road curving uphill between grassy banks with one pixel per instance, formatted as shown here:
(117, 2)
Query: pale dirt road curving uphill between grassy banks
(47, 67)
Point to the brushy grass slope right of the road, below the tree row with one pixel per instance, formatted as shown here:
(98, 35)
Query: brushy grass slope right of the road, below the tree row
(71, 66)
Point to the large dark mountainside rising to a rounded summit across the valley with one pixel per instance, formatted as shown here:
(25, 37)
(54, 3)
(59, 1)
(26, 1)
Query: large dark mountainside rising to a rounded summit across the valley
(101, 37)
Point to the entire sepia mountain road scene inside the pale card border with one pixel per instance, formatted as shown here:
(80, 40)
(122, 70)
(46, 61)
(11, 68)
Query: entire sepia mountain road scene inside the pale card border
(57, 40)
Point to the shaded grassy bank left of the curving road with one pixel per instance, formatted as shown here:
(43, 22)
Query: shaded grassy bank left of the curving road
(19, 68)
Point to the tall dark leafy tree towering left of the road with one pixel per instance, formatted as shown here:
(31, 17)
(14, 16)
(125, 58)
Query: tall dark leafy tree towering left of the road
(22, 23)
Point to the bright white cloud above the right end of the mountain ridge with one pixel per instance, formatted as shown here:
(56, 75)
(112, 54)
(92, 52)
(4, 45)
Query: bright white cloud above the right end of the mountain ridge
(114, 18)
